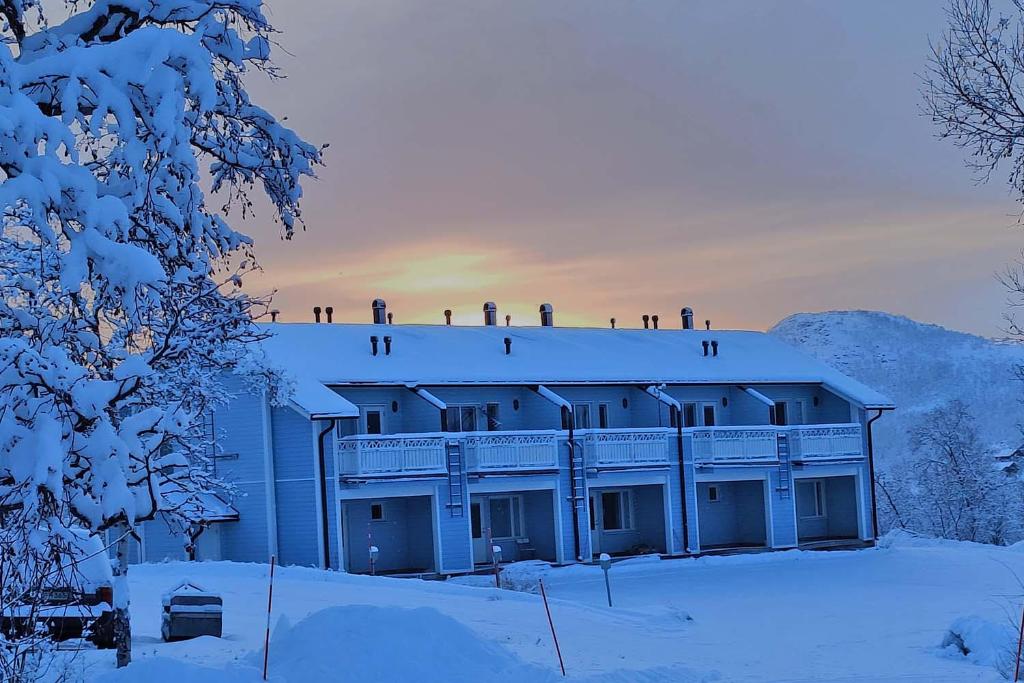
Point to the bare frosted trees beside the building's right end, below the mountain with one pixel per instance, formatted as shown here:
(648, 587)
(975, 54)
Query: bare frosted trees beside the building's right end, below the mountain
(951, 487)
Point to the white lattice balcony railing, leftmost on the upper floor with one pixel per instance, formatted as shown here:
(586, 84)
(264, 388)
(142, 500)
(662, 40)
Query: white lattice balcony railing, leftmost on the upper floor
(374, 455)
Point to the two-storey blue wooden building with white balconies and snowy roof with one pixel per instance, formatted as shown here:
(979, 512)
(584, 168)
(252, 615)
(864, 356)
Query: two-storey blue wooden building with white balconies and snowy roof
(435, 445)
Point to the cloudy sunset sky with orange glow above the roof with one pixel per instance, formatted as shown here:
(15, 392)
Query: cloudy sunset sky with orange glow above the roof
(748, 159)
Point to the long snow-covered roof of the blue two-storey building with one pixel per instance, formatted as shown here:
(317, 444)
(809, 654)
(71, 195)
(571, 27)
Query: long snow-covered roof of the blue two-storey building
(336, 355)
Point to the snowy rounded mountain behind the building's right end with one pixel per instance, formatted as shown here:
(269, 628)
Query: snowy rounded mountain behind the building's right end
(920, 367)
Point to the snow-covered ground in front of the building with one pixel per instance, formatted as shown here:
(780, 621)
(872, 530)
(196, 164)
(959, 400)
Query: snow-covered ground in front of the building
(866, 616)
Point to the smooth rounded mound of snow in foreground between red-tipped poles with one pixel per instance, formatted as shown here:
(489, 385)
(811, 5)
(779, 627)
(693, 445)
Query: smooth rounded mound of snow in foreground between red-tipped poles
(370, 644)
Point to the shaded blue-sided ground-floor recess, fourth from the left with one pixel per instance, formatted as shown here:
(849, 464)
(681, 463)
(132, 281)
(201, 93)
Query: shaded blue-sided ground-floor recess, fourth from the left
(737, 519)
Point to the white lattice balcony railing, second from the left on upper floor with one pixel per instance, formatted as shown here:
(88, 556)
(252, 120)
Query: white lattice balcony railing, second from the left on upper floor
(511, 451)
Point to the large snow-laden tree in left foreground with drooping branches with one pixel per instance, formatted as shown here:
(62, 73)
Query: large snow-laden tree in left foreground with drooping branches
(120, 301)
